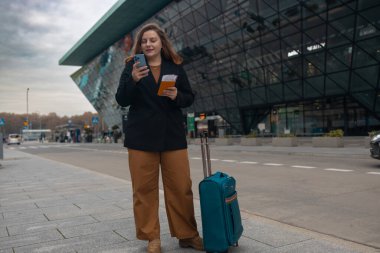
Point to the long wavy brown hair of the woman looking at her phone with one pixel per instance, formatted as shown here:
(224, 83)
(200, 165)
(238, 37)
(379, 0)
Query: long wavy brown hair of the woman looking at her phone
(167, 52)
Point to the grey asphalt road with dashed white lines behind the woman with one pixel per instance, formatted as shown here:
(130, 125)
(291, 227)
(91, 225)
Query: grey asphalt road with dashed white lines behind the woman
(337, 196)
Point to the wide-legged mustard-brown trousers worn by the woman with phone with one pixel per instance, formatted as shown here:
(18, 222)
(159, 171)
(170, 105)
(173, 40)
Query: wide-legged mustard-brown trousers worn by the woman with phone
(175, 170)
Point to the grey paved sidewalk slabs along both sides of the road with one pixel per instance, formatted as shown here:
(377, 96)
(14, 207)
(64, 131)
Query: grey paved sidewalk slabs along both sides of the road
(47, 206)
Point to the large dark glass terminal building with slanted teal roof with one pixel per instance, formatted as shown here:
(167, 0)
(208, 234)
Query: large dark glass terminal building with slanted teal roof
(275, 66)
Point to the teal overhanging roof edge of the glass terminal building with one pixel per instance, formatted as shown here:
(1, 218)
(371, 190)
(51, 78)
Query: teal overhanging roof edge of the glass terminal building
(122, 18)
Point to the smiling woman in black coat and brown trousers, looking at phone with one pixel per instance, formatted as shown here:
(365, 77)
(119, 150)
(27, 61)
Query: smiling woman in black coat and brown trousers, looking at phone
(155, 136)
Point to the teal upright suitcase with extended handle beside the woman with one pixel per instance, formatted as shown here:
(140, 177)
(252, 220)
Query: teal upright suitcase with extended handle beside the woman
(221, 219)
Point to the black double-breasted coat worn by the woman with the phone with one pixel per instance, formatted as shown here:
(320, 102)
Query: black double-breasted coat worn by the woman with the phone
(154, 123)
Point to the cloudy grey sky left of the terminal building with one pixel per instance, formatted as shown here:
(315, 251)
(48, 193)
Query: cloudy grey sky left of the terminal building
(34, 35)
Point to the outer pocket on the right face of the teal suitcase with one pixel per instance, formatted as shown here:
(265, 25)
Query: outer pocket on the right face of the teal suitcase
(233, 219)
